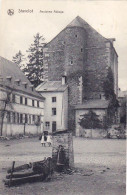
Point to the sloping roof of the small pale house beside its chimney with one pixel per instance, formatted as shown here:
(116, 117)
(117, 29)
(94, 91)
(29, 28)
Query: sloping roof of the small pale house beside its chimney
(51, 86)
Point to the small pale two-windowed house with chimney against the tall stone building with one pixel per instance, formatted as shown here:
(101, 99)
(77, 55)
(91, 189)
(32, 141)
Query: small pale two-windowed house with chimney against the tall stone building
(56, 105)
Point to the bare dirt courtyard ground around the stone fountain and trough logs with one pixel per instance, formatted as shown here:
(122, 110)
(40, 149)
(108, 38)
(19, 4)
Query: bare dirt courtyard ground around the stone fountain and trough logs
(100, 167)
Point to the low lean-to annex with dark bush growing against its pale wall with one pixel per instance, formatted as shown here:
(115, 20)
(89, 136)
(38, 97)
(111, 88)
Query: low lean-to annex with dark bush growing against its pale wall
(99, 107)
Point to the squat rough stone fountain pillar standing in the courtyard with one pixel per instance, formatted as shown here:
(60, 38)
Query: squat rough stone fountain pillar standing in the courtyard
(66, 140)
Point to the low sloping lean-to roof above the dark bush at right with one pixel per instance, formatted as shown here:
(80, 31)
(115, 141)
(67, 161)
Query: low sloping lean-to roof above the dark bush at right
(95, 104)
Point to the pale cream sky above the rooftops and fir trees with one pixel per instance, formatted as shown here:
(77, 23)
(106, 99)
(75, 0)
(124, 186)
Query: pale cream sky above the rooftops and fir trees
(109, 18)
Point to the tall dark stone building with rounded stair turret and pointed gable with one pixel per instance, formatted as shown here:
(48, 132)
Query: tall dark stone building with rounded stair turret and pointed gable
(84, 56)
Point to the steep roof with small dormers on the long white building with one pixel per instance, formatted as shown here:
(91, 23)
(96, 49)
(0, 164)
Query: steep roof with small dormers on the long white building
(10, 70)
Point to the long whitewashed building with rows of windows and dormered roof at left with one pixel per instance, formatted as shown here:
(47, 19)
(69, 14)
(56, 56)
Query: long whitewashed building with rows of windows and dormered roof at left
(21, 107)
